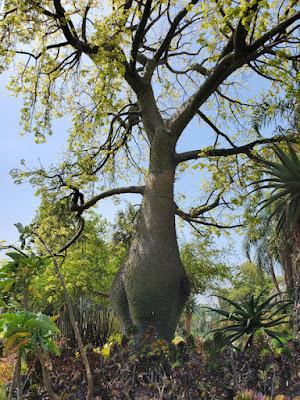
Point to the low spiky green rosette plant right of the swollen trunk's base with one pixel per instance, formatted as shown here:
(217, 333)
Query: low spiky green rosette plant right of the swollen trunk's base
(252, 315)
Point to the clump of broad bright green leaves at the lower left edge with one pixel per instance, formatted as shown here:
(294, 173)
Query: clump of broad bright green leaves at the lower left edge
(26, 332)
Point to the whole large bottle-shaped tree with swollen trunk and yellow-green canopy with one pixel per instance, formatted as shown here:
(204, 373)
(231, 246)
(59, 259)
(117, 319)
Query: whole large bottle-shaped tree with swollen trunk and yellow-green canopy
(133, 75)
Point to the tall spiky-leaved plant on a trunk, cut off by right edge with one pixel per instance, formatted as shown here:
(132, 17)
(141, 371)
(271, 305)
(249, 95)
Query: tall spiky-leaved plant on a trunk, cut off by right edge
(283, 178)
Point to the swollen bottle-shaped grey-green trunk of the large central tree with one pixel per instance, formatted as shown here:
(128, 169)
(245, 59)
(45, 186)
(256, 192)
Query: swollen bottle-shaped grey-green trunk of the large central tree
(151, 288)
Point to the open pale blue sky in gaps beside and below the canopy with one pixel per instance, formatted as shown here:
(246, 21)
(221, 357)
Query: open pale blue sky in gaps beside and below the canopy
(18, 202)
